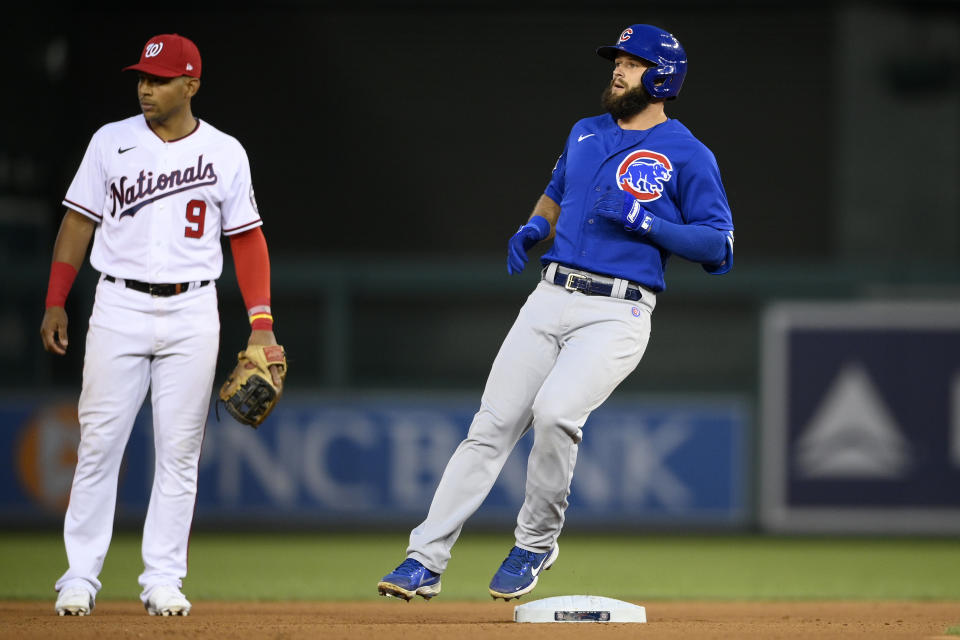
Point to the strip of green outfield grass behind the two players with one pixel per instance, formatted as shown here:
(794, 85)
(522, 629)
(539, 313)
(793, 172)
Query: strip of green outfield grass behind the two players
(347, 567)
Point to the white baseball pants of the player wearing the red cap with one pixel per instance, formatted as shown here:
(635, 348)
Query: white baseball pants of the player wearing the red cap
(137, 342)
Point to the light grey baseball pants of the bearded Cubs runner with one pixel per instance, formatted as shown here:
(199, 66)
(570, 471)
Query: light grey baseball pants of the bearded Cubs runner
(563, 357)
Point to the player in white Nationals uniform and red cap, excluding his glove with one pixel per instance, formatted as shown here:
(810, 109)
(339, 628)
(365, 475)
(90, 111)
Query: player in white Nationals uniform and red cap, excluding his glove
(154, 191)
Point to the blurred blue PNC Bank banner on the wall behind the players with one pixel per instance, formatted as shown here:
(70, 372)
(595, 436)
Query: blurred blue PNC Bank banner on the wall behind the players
(377, 459)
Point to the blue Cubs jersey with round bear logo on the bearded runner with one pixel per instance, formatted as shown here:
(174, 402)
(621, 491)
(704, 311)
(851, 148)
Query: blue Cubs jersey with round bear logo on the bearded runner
(673, 174)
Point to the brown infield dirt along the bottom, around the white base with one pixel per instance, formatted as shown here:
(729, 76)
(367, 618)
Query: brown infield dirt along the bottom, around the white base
(395, 620)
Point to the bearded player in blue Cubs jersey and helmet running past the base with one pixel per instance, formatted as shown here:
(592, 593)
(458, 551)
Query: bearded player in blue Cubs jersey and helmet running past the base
(631, 188)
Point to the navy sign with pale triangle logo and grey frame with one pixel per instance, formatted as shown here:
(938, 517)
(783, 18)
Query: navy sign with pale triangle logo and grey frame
(860, 417)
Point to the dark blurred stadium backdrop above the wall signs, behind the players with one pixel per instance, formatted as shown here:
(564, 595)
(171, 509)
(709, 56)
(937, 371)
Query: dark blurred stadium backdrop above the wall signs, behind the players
(396, 146)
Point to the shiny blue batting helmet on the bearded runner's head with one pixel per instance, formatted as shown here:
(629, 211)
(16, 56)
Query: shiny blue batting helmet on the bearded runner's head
(660, 49)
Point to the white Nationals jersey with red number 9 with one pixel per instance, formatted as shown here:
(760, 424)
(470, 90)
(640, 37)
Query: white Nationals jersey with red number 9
(161, 206)
